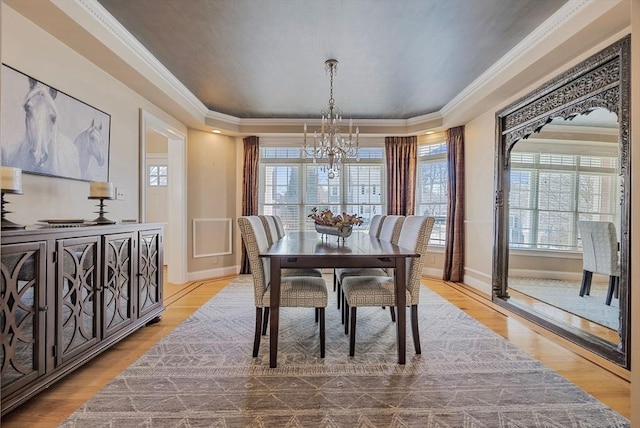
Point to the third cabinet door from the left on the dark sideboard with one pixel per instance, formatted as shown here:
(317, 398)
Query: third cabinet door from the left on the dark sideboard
(117, 294)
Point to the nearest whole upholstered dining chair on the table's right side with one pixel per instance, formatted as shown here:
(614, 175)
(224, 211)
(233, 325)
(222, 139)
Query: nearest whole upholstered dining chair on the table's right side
(380, 290)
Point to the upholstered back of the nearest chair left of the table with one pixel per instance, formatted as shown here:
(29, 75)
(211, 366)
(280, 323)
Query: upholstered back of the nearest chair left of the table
(255, 241)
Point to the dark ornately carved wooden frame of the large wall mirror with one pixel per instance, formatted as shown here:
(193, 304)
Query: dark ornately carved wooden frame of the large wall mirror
(602, 80)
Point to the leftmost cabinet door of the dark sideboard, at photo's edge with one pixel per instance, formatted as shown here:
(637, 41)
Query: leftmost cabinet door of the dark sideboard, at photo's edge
(22, 314)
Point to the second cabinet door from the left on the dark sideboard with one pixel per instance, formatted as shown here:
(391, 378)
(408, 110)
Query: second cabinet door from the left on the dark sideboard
(77, 288)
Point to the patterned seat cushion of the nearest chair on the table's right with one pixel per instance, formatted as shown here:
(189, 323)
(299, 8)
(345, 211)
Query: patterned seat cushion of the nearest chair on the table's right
(371, 291)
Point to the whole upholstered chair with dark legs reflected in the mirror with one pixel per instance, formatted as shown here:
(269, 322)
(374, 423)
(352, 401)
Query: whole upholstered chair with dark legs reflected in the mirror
(599, 255)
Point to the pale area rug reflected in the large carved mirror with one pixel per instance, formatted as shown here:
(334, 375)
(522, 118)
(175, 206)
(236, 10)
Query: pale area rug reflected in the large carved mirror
(566, 295)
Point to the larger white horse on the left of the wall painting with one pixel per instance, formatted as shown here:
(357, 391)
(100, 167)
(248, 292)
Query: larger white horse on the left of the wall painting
(43, 150)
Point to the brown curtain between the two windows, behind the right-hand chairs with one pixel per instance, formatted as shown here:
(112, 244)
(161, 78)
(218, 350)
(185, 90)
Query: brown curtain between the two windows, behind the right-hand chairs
(401, 154)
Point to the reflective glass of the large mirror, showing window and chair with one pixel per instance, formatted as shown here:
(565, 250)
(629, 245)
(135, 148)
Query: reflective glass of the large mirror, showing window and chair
(564, 179)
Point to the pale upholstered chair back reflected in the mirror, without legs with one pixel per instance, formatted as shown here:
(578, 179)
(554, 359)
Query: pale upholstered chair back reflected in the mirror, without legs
(599, 247)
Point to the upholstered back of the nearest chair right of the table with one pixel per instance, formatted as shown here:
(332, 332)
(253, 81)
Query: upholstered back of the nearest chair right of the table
(415, 234)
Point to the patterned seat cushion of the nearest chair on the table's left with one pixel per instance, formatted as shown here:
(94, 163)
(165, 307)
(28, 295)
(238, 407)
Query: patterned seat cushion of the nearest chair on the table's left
(299, 291)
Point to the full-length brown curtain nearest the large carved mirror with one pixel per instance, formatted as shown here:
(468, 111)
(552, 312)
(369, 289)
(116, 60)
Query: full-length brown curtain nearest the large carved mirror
(454, 244)
